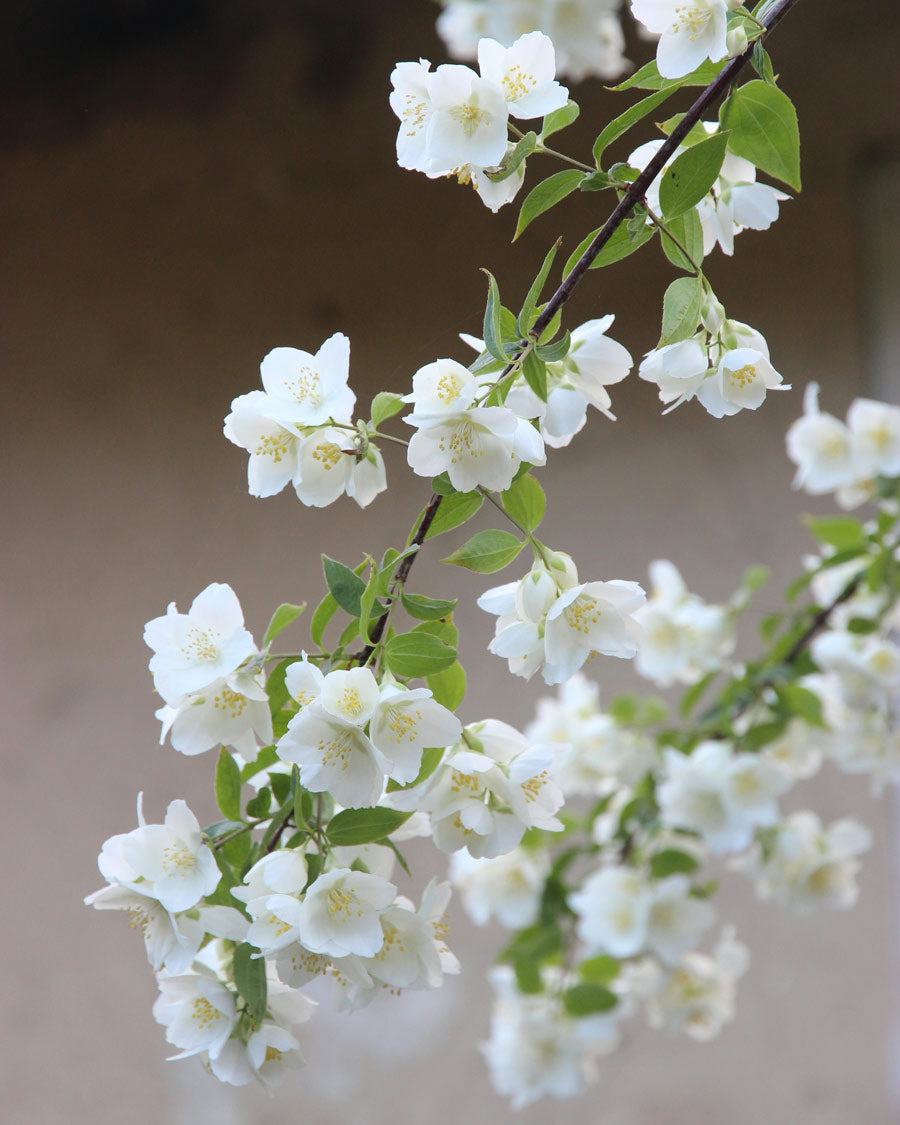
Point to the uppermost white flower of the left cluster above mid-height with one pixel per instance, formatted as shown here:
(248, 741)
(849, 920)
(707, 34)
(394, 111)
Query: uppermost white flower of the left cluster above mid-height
(309, 391)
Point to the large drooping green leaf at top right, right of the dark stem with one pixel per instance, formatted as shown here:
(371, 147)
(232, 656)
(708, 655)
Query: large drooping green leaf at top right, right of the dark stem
(764, 130)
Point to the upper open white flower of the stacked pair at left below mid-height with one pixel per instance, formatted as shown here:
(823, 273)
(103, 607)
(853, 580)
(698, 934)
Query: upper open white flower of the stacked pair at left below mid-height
(194, 650)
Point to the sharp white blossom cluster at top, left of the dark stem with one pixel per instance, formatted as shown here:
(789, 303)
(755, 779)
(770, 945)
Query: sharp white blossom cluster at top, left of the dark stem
(455, 122)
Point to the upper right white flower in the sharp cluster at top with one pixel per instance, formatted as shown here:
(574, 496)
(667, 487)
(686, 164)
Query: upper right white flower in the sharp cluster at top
(525, 73)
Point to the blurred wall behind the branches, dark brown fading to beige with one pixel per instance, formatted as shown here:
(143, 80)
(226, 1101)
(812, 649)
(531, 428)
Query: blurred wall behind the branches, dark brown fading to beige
(185, 186)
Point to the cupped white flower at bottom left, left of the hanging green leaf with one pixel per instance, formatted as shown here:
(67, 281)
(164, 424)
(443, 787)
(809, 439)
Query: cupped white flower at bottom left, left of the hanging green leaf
(197, 1012)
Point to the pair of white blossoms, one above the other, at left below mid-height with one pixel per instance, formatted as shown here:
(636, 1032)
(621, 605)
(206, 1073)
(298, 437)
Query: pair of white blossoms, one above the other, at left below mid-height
(206, 669)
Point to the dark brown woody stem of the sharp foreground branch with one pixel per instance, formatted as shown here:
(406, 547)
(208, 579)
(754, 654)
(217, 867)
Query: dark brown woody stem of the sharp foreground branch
(627, 204)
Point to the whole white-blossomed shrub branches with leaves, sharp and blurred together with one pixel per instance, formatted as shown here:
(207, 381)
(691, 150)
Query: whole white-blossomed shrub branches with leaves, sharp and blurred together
(598, 834)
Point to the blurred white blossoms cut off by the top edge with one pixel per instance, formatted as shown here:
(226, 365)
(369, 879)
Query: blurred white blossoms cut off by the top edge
(588, 34)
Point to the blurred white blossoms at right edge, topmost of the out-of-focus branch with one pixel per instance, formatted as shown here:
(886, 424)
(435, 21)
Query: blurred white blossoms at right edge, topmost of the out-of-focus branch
(845, 458)
